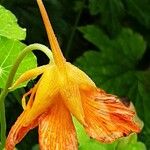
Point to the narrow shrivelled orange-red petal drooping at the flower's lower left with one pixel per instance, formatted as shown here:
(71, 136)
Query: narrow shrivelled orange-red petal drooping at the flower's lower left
(19, 130)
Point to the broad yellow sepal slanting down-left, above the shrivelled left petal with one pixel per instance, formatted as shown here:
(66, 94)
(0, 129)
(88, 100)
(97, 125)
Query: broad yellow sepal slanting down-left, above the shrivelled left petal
(47, 89)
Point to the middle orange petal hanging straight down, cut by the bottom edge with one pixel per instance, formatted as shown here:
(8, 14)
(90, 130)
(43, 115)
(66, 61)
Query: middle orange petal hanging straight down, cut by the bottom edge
(56, 130)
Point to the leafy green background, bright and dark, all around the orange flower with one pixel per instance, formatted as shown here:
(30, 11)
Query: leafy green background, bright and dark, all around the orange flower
(108, 39)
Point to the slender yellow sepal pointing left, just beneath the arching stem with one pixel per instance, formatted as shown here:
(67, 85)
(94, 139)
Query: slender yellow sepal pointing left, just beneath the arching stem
(30, 74)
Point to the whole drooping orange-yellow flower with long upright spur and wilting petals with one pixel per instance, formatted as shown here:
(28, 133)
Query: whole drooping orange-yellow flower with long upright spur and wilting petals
(62, 90)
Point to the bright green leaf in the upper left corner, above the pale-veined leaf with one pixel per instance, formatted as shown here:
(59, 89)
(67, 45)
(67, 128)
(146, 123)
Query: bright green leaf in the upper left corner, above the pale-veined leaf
(9, 27)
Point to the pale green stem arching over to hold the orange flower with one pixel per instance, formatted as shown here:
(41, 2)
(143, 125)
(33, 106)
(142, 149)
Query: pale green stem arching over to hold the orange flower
(10, 81)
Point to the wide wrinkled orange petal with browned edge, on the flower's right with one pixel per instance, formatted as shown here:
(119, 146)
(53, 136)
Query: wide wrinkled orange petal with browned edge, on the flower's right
(107, 117)
